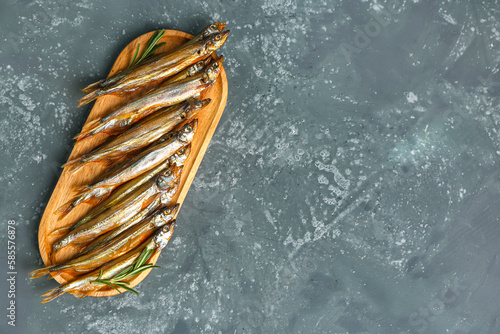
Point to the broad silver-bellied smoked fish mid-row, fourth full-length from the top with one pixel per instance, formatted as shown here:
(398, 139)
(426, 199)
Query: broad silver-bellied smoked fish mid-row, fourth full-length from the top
(146, 160)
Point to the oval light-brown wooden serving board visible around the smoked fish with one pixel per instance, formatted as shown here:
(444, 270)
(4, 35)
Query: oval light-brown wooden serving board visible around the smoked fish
(208, 117)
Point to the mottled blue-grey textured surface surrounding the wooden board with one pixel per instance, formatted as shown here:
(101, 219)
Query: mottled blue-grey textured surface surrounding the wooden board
(352, 185)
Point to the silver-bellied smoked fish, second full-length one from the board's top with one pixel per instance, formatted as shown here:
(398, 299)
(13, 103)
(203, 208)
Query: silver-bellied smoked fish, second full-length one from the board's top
(166, 95)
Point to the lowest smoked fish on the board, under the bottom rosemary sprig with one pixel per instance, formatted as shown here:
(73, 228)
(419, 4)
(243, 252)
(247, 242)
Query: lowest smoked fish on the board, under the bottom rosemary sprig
(84, 285)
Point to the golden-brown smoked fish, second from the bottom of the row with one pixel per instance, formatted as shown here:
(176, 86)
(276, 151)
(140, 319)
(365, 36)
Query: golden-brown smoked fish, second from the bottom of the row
(126, 241)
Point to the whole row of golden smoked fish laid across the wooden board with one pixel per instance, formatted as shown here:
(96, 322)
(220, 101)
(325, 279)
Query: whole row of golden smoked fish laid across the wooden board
(132, 202)
